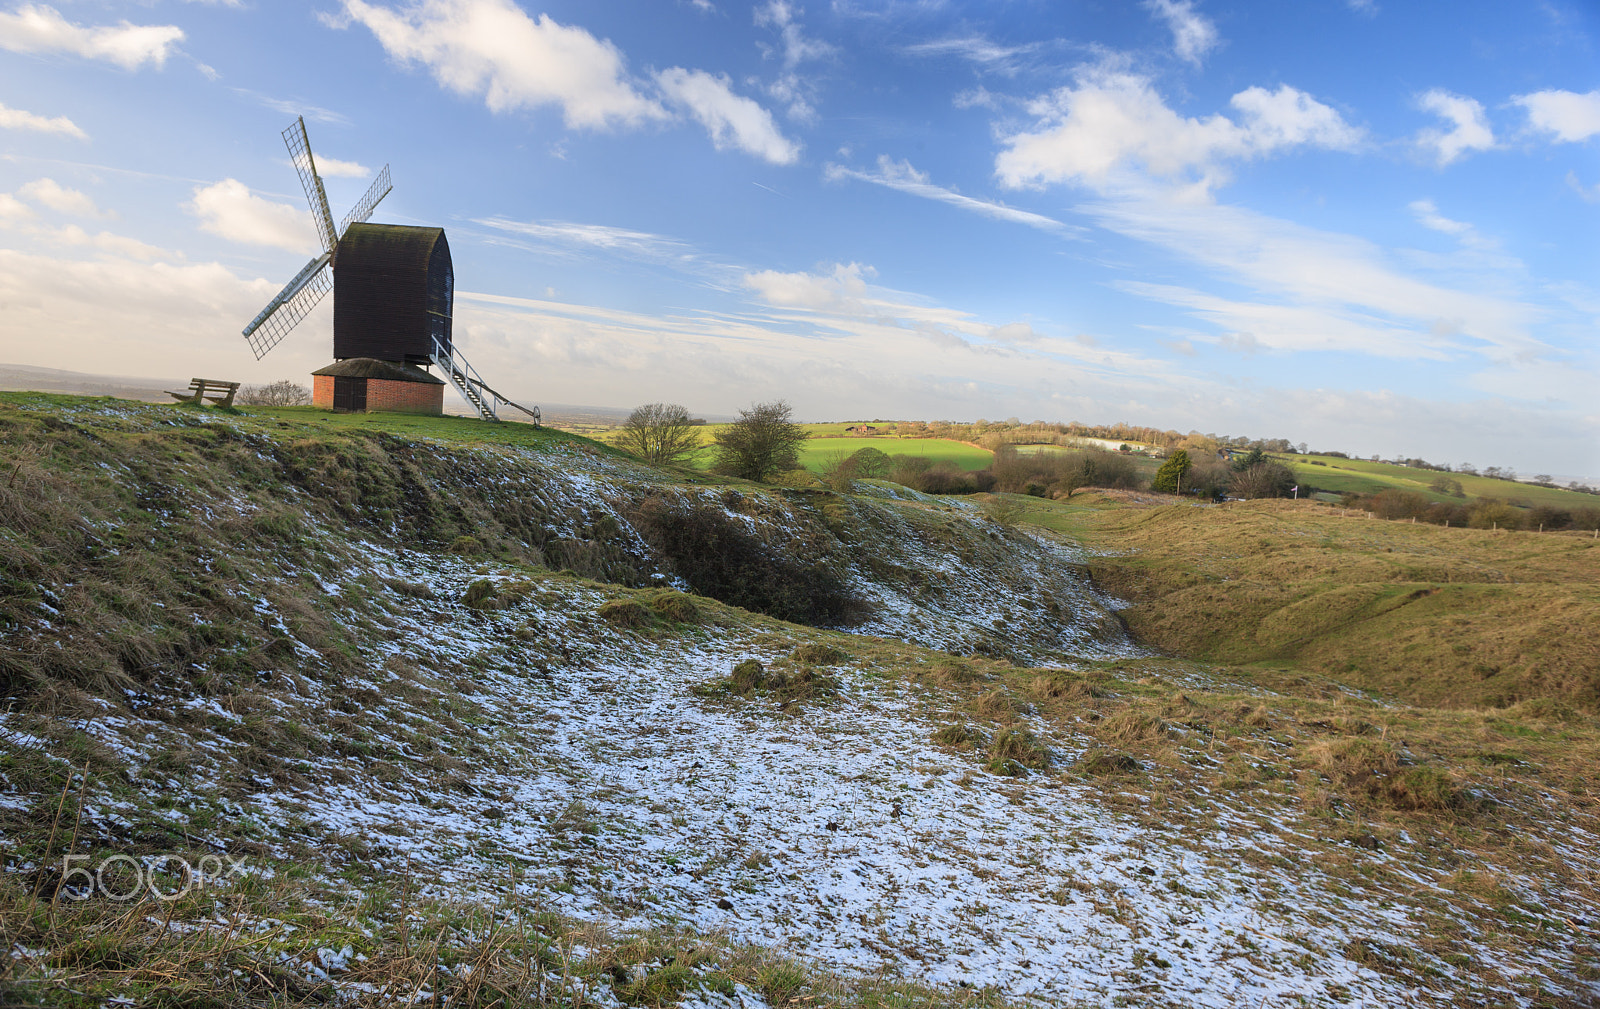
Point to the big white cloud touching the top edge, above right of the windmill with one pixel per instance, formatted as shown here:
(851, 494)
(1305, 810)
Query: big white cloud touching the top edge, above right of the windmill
(494, 49)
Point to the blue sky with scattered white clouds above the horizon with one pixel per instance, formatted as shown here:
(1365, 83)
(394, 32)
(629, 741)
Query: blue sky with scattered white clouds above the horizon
(1354, 223)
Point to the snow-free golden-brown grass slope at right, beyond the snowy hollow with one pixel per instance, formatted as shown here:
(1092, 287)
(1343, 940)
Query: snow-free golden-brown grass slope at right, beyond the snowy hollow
(1460, 618)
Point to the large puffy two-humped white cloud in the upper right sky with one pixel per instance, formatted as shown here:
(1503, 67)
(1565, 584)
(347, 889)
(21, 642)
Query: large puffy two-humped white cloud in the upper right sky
(1110, 122)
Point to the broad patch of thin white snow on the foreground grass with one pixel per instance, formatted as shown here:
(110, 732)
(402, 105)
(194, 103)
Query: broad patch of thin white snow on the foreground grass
(838, 832)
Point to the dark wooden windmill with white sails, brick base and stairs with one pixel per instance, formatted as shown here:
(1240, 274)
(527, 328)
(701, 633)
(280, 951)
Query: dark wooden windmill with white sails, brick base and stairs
(393, 297)
